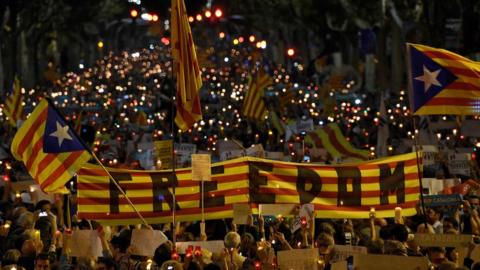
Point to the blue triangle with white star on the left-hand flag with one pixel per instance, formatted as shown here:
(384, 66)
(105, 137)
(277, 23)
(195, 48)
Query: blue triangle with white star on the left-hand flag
(58, 136)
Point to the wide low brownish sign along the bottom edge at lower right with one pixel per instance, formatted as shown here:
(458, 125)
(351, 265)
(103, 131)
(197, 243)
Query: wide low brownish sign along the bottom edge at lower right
(382, 262)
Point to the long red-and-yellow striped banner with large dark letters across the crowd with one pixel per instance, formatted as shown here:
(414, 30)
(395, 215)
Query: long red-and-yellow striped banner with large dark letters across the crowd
(340, 191)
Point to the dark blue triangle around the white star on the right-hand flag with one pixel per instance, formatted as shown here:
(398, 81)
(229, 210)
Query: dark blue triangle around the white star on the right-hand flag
(420, 62)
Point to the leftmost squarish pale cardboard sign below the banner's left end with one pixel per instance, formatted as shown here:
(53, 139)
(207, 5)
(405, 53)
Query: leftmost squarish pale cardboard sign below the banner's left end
(85, 243)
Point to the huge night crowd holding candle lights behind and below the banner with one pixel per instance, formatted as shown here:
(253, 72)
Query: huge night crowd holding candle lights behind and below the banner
(127, 97)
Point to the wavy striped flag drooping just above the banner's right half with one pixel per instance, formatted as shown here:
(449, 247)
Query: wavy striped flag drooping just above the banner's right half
(331, 139)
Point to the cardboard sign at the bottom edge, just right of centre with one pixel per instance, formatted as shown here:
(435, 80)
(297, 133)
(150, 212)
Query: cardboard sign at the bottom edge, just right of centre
(298, 259)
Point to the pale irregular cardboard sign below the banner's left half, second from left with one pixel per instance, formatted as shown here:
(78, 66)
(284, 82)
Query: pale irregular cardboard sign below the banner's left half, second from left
(145, 242)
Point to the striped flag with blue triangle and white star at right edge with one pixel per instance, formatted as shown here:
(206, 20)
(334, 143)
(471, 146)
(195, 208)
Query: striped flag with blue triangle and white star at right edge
(442, 82)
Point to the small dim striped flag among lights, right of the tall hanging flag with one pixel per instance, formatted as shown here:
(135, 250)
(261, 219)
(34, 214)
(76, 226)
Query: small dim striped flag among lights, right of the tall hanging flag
(253, 104)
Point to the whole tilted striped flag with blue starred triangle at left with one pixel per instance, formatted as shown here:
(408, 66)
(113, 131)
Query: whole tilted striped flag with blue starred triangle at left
(50, 150)
